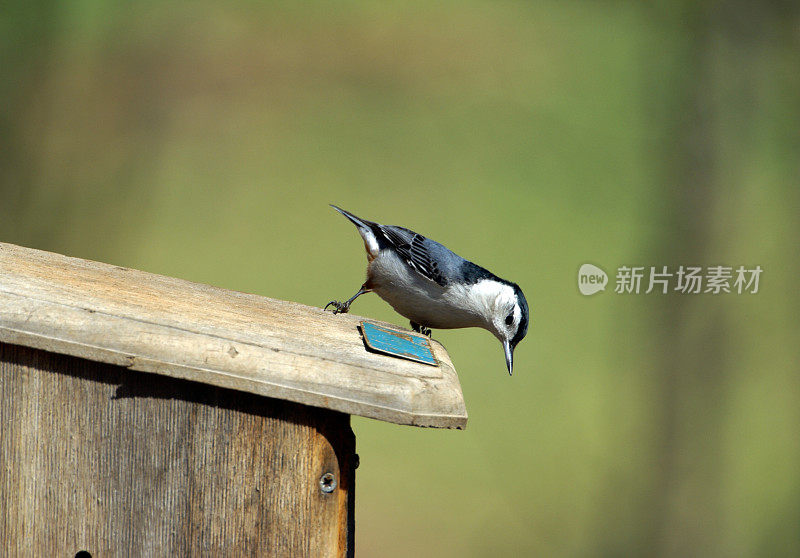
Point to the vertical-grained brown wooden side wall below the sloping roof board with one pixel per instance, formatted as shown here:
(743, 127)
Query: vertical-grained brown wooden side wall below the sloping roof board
(119, 463)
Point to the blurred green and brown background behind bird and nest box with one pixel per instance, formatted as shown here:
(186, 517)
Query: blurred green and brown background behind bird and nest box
(204, 140)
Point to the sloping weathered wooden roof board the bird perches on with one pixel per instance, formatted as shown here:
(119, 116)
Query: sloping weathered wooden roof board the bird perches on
(177, 328)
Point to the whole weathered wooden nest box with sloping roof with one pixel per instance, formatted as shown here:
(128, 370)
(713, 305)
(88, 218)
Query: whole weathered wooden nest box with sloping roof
(147, 415)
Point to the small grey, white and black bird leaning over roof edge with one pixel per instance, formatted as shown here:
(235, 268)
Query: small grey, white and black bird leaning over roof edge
(435, 288)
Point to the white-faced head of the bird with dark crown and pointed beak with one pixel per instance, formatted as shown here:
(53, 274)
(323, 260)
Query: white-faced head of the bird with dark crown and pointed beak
(508, 317)
